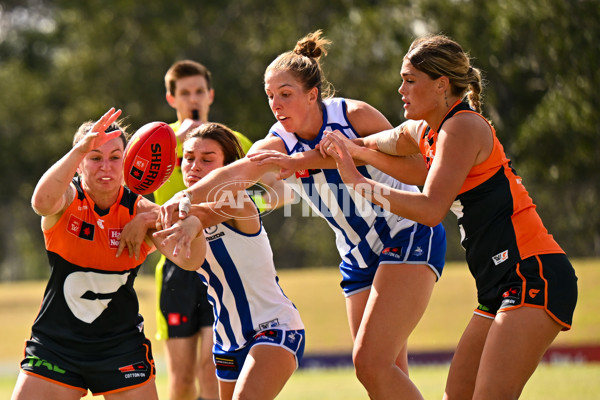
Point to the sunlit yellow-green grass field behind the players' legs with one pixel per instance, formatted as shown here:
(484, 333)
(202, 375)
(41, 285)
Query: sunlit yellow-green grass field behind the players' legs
(317, 295)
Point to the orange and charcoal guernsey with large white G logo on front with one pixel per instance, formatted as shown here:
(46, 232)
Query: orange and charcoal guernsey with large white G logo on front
(89, 305)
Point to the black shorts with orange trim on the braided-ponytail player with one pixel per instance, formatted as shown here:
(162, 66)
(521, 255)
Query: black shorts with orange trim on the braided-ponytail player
(546, 281)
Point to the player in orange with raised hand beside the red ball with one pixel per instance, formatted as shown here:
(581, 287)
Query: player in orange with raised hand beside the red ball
(89, 334)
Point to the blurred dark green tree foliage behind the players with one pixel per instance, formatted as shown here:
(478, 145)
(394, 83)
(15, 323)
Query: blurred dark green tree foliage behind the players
(64, 62)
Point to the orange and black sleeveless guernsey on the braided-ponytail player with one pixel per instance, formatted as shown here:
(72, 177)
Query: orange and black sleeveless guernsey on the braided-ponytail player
(497, 219)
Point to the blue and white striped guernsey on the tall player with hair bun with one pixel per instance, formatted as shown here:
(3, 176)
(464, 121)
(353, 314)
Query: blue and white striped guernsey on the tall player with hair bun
(361, 227)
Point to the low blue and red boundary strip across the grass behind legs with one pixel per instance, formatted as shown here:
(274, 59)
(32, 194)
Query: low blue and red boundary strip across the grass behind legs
(578, 354)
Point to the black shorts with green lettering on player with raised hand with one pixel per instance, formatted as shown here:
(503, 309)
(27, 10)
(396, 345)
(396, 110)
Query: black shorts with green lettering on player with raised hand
(100, 375)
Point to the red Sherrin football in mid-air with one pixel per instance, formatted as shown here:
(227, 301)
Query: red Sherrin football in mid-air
(150, 157)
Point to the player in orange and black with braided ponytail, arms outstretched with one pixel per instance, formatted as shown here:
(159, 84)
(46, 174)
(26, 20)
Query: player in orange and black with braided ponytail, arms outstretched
(527, 289)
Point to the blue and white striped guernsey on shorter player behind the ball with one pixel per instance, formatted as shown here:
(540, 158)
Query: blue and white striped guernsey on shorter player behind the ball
(243, 287)
